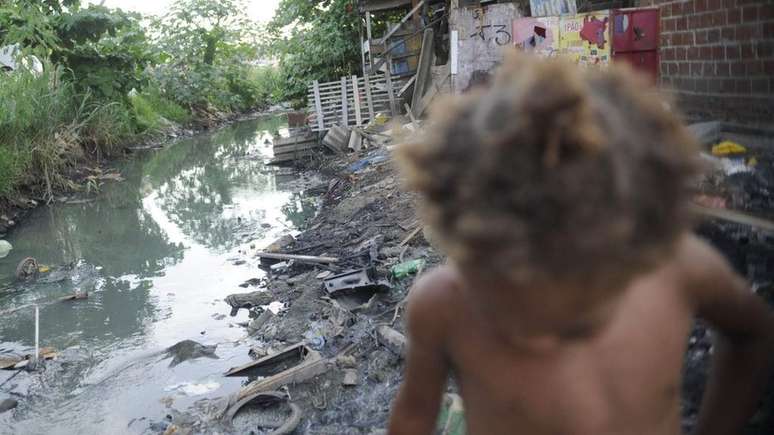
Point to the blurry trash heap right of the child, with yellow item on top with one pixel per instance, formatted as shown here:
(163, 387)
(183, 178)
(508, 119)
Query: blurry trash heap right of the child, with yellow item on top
(735, 199)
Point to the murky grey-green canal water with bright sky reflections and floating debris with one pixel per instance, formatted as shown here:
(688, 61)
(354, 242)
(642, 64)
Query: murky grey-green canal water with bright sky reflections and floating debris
(157, 254)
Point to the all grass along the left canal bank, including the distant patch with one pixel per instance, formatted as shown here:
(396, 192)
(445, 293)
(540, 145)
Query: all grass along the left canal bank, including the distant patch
(47, 128)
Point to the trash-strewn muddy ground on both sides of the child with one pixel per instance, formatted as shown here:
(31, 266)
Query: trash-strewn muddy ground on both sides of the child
(328, 356)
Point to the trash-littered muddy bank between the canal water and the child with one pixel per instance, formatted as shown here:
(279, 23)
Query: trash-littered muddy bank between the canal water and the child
(326, 328)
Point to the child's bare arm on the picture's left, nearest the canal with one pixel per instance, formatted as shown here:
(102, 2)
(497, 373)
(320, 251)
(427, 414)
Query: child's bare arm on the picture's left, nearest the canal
(416, 407)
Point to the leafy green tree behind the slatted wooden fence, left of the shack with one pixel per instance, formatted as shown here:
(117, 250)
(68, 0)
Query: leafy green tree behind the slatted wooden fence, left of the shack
(314, 40)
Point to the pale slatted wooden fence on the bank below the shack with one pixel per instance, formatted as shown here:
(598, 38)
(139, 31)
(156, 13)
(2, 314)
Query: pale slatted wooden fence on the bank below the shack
(353, 101)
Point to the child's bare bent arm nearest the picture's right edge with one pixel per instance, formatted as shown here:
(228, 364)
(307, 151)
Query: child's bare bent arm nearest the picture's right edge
(743, 344)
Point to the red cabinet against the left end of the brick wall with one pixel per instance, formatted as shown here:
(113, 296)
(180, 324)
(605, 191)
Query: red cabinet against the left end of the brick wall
(636, 39)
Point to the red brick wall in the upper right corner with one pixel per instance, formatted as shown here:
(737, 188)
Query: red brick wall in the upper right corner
(718, 57)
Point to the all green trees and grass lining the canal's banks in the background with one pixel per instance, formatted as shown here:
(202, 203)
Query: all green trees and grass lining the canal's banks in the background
(109, 79)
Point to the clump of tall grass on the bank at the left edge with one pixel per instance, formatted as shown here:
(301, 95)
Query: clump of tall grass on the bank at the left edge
(46, 128)
